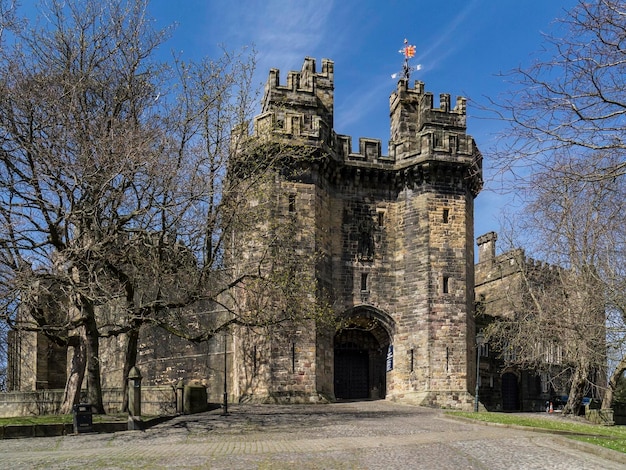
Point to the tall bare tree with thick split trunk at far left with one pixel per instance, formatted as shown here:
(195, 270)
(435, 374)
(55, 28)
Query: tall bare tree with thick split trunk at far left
(78, 159)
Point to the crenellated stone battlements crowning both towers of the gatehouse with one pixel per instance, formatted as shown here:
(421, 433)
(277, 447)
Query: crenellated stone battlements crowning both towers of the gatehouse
(302, 110)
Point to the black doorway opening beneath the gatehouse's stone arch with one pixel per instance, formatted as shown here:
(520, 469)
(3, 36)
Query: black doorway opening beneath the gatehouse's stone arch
(359, 365)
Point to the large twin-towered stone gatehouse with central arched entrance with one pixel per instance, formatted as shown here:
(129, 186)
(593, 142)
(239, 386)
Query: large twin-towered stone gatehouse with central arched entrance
(394, 234)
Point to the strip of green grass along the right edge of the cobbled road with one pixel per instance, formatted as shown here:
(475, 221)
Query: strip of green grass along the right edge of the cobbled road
(611, 437)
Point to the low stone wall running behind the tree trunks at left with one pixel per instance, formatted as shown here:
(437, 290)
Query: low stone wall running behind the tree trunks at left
(159, 400)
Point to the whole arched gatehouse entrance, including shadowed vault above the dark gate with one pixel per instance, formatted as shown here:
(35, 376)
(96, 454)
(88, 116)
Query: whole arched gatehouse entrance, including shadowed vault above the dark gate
(360, 349)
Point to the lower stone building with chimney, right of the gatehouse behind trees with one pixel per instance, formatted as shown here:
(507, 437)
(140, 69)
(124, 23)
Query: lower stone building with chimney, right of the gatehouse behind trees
(503, 284)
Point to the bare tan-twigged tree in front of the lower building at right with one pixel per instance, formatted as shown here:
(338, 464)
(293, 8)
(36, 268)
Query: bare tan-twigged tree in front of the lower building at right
(557, 319)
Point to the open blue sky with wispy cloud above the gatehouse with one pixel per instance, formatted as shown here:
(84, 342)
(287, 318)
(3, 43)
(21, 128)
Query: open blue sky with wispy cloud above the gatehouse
(461, 44)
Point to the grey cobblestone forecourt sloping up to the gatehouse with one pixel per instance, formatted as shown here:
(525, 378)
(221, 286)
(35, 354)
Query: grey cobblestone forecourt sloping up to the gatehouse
(365, 435)
